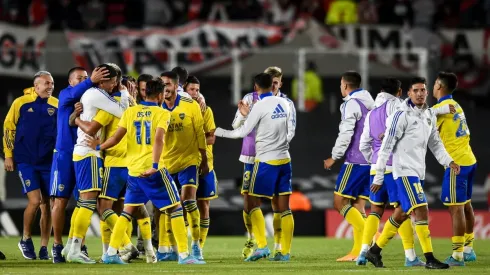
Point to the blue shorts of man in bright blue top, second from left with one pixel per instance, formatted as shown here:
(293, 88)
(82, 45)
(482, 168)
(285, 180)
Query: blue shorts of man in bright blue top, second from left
(63, 179)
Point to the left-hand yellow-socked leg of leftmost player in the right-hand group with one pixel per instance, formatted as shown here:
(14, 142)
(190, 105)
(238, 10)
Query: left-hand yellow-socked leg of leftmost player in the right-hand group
(354, 217)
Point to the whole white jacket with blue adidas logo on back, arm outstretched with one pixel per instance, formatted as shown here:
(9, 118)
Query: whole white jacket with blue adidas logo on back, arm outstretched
(271, 119)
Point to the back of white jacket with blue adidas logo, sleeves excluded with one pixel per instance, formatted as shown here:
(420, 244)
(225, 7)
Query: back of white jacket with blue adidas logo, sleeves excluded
(272, 130)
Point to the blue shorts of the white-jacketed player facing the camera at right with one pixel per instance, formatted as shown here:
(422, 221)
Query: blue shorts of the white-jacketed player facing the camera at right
(410, 193)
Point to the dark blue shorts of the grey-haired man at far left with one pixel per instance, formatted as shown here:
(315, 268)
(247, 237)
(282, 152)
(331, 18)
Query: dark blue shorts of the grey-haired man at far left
(34, 177)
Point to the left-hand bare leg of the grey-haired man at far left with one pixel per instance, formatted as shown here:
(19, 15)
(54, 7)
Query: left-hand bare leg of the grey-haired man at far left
(25, 245)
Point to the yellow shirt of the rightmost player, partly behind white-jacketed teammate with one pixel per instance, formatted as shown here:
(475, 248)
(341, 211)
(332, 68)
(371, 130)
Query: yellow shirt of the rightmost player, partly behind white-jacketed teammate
(454, 132)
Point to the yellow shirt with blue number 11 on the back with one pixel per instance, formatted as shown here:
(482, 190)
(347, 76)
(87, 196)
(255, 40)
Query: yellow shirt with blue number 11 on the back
(141, 122)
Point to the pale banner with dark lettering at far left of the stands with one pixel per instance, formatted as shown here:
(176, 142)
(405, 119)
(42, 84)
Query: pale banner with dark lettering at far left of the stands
(21, 49)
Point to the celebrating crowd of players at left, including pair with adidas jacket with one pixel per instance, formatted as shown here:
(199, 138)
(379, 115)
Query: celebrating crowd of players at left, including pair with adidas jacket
(123, 146)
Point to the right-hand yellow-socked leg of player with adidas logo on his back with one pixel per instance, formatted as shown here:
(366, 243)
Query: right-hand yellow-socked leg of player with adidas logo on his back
(286, 228)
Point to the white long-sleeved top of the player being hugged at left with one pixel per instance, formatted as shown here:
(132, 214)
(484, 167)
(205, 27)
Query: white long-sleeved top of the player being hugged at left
(93, 100)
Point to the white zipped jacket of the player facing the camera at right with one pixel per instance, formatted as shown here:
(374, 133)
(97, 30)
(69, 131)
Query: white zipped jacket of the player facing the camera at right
(409, 132)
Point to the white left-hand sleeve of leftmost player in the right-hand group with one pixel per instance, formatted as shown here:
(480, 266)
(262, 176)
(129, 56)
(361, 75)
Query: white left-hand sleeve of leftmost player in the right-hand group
(351, 113)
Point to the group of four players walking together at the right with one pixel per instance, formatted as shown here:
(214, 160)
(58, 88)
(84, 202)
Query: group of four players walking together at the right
(384, 142)
